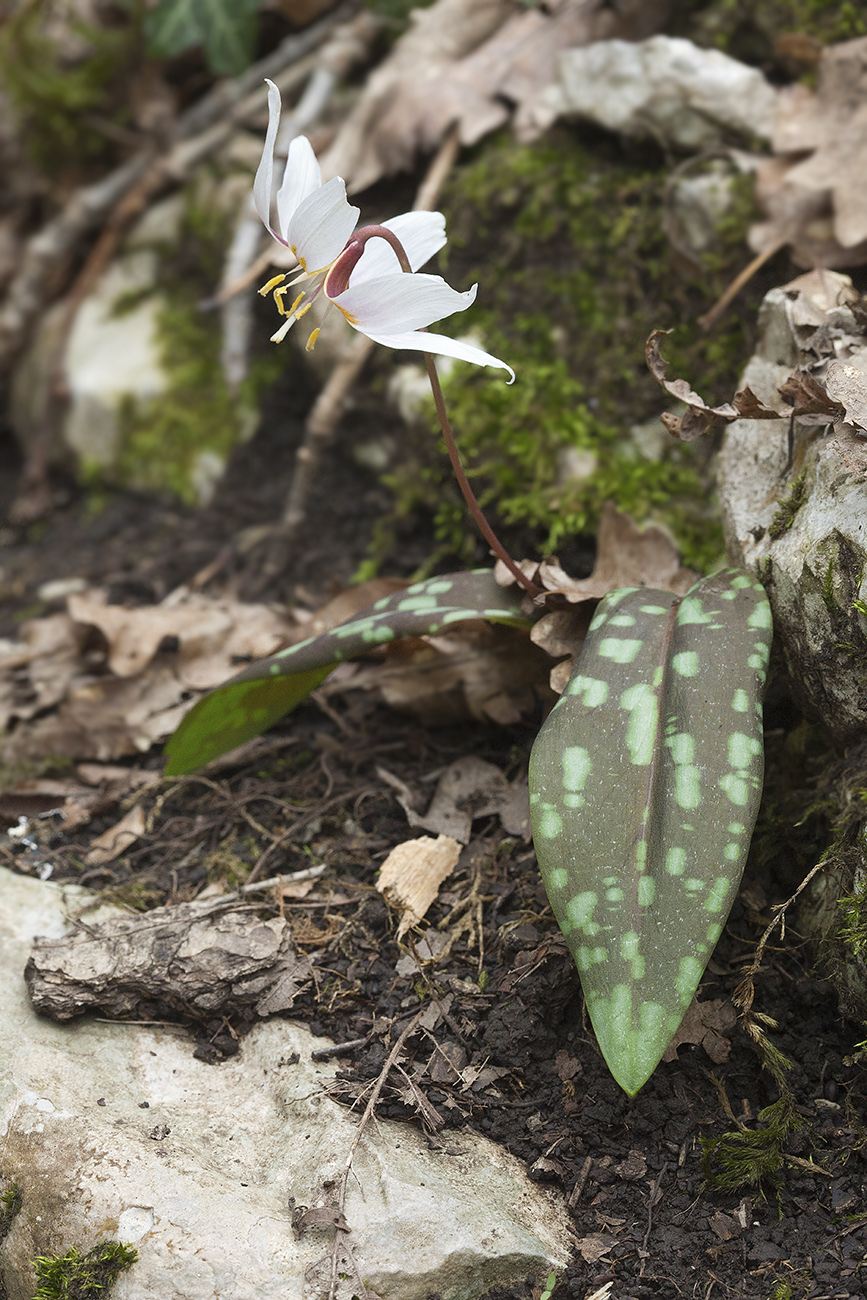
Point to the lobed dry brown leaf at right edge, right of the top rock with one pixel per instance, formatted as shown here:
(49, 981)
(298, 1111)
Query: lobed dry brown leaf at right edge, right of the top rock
(818, 205)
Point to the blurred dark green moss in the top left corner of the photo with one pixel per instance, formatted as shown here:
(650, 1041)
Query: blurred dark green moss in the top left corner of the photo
(59, 98)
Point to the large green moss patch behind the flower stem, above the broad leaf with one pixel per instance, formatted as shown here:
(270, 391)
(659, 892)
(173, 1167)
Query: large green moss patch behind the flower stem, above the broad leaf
(566, 240)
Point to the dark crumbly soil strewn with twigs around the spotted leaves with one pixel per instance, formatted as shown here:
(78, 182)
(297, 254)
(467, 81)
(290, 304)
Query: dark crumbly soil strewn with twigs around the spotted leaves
(662, 1206)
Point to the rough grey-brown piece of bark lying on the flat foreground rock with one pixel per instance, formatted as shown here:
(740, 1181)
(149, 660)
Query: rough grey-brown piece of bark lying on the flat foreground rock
(168, 964)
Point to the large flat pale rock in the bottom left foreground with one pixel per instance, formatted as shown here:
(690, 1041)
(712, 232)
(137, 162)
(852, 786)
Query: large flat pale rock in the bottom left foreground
(201, 1180)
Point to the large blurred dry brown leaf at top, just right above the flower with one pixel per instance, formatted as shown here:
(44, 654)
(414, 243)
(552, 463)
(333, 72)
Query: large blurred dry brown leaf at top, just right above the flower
(465, 64)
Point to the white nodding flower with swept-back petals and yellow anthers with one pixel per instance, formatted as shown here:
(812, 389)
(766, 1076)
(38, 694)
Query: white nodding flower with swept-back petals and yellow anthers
(361, 275)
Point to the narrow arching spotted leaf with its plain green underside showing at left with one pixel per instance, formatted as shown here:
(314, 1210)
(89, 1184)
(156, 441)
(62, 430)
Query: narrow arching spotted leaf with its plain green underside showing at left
(263, 694)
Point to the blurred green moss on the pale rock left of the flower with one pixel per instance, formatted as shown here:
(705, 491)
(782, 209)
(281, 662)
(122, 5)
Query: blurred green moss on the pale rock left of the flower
(189, 430)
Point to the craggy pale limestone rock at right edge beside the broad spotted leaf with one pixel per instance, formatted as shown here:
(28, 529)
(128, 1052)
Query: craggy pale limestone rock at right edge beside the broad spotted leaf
(796, 513)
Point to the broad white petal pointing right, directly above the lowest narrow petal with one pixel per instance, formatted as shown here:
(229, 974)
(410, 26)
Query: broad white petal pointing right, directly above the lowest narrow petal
(392, 305)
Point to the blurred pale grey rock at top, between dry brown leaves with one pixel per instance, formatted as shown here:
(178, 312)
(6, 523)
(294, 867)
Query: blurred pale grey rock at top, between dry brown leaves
(666, 89)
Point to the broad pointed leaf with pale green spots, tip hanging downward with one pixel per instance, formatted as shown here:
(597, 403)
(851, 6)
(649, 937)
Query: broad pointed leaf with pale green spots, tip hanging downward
(645, 786)
